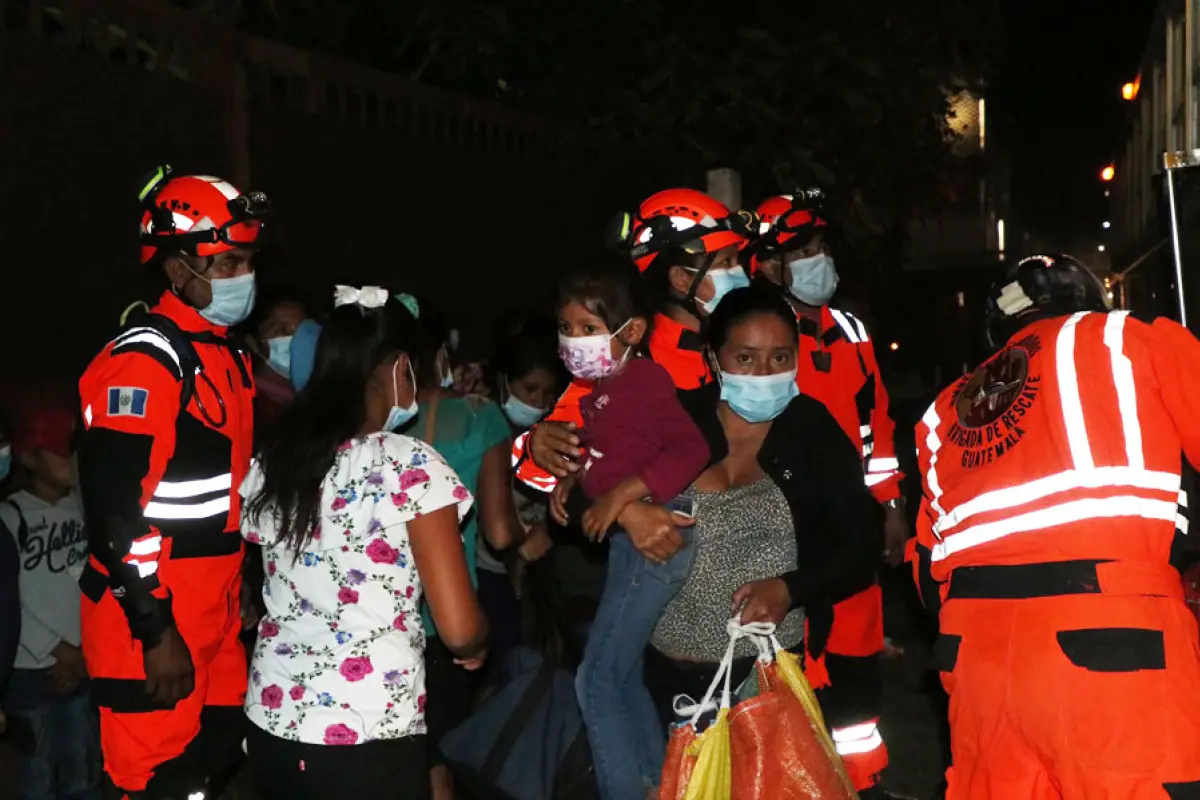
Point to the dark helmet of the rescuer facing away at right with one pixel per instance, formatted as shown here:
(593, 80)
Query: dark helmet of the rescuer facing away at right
(1040, 287)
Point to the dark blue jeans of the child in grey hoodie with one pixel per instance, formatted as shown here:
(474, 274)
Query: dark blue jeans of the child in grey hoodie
(57, 738)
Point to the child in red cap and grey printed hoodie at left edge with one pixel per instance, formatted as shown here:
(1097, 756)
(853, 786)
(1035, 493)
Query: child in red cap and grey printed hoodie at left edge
(47, 700)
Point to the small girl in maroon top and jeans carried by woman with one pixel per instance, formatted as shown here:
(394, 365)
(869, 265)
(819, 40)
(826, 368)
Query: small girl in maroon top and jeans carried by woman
(638, 443)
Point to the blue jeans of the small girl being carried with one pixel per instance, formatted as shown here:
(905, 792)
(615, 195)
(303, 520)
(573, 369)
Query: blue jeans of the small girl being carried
(628, 744)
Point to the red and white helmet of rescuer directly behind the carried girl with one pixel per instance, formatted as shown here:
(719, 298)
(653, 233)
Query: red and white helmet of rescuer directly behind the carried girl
(685, 219)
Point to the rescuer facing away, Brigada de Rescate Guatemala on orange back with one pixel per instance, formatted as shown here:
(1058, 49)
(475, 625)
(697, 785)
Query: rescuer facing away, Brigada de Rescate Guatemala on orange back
(1052, 510)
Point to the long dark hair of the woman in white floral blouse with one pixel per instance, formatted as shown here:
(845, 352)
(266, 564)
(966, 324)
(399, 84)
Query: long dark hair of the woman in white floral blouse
(301, 449)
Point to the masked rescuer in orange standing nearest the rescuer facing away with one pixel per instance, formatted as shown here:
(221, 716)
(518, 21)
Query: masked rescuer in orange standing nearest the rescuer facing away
(837, 366)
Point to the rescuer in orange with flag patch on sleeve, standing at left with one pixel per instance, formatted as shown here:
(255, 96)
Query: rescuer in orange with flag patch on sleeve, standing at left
(167, 441)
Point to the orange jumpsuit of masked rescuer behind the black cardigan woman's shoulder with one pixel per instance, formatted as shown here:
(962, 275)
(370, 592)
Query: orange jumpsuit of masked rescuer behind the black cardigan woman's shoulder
(837, 366)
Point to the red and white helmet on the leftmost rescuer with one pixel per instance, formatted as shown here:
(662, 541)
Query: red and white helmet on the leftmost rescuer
(200, 215)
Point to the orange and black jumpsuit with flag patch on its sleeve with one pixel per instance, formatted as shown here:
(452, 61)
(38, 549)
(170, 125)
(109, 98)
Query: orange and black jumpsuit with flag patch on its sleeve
(160, 490)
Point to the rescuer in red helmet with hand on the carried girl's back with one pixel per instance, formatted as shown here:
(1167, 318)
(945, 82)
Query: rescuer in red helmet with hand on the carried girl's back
(686, 245)
